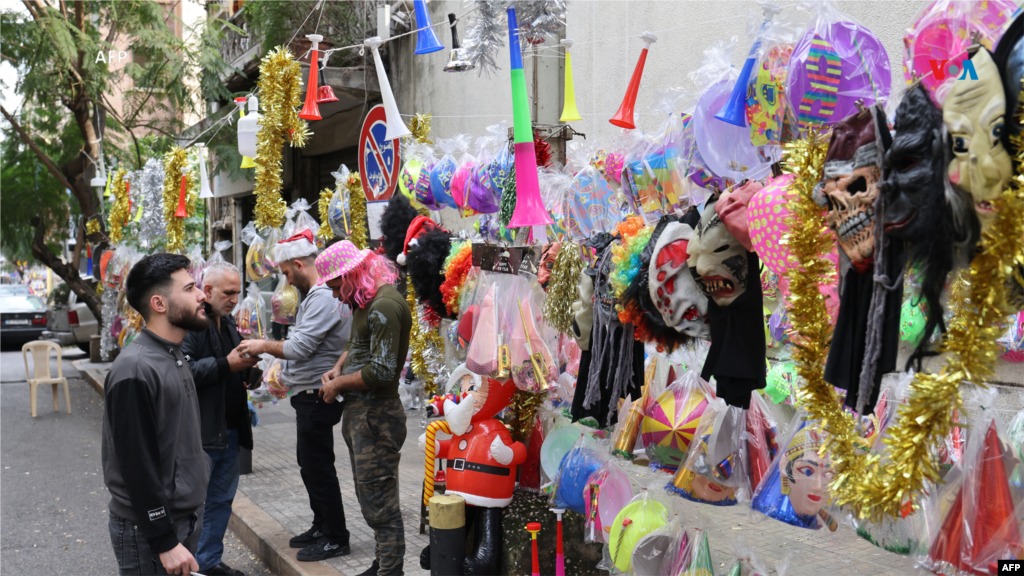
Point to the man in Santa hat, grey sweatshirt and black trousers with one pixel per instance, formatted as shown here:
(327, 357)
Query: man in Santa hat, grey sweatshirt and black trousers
(316, 342)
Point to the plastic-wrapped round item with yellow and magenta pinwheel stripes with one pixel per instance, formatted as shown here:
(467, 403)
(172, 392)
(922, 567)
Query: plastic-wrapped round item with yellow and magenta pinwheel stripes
(672, 420)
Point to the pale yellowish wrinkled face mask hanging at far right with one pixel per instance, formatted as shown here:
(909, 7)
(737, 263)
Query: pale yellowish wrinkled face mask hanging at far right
(974, 113)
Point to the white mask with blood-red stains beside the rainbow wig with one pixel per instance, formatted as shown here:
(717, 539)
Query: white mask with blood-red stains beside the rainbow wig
(673, 291)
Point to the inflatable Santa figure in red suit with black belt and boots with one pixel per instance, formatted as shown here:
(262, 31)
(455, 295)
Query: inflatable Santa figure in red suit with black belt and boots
(483, 462)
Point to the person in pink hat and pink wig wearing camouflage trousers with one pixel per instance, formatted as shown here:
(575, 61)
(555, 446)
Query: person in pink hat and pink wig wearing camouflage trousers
(368, 377)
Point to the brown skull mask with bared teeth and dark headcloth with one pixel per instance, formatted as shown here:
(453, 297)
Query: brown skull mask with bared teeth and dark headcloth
(850, 188)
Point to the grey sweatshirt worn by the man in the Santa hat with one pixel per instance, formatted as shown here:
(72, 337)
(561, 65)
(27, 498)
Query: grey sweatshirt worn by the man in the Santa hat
(317, 341)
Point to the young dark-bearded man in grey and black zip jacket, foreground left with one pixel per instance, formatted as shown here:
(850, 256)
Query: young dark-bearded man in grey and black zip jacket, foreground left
(154, 465)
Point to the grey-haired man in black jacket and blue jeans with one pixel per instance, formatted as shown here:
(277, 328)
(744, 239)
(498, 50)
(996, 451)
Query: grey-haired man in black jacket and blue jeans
(219, 371)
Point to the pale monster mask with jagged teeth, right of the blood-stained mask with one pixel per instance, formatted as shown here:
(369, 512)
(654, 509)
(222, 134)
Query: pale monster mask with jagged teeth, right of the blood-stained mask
(717, 260)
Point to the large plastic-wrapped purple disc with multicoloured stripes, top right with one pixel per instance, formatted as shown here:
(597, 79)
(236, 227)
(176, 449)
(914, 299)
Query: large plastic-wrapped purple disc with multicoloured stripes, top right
(859, 68)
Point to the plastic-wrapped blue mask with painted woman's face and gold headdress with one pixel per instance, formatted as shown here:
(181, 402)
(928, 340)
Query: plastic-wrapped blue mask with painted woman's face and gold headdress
(795, 489)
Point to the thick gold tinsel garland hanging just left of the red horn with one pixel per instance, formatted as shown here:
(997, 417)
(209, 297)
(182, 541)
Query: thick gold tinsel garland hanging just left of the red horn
(280, 89)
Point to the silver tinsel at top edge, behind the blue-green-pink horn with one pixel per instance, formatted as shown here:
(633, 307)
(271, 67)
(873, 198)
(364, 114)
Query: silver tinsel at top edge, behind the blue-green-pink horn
(539, 20)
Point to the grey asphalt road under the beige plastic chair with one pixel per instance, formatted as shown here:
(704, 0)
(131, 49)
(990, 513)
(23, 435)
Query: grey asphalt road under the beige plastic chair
(54, 504)
